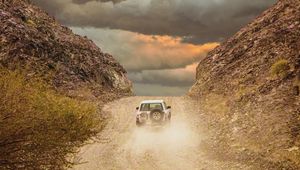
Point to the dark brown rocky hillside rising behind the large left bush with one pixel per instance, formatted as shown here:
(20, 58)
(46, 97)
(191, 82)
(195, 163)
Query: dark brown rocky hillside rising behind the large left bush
(33, 41)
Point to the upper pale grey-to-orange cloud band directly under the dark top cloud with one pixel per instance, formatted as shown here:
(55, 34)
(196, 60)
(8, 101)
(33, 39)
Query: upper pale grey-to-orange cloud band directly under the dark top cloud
(137, 52)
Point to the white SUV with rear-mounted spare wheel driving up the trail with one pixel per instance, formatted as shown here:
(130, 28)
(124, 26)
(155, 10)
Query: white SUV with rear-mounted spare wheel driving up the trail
(153, 111)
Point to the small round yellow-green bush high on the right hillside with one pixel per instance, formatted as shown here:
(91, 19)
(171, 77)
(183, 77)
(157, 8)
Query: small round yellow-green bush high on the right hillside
(280, 68)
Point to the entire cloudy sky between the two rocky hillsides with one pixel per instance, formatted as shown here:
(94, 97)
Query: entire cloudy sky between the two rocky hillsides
(159, 42)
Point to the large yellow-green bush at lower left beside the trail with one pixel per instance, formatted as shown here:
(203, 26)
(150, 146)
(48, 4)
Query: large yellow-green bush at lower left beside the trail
(38, 127)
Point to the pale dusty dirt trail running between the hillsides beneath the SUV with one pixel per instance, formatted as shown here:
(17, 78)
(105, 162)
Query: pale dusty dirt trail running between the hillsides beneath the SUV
(124, 146)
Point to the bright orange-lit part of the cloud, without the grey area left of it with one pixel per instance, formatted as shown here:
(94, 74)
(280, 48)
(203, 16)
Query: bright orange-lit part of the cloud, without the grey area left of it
(165, 52)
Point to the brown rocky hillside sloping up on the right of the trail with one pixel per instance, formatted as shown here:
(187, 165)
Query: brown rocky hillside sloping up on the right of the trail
(250, 86)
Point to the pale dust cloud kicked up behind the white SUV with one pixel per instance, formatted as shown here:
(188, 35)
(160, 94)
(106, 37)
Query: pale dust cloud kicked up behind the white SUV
(170, 138)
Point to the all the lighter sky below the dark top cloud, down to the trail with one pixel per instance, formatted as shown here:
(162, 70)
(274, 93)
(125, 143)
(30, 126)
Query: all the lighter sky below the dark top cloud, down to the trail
(164, 63)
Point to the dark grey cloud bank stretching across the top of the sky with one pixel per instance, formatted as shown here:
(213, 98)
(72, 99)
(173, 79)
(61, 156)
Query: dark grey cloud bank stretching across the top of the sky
(199, 21)
